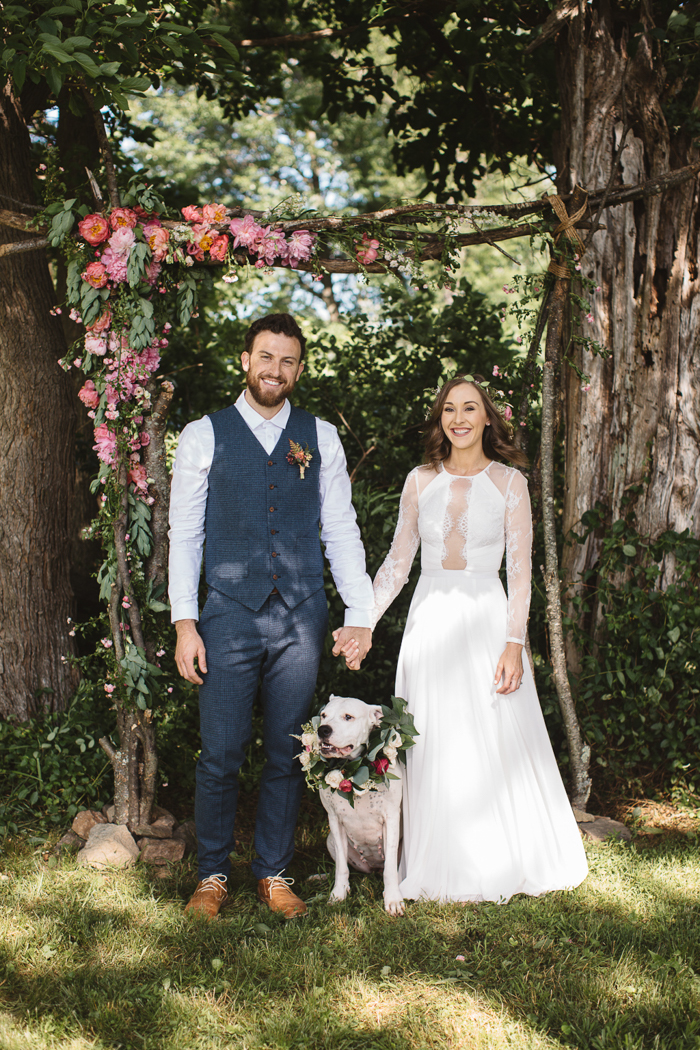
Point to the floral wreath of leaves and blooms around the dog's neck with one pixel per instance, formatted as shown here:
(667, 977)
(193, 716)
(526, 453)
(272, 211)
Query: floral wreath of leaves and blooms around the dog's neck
(389, 744)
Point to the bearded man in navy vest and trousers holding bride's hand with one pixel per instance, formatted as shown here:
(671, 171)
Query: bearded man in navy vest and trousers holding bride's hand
(238, 485)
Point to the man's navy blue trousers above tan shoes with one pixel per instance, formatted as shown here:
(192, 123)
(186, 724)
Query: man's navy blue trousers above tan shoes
(280, 649)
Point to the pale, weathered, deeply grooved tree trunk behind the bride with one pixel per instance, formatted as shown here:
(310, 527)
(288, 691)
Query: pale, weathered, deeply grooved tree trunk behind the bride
(642, 417)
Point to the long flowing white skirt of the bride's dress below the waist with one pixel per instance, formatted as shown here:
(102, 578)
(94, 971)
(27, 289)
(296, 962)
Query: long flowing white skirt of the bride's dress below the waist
(486, 814)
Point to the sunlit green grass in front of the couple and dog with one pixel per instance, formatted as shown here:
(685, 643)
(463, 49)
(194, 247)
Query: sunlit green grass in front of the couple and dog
(92, 960)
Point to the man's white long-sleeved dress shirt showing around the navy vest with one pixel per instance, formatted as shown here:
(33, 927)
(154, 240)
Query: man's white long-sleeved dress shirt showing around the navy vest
(188, 509)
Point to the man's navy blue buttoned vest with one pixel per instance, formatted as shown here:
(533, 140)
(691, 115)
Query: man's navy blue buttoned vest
(263, 519)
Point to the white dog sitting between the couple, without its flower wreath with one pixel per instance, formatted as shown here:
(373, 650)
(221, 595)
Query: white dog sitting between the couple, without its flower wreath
(368, 834)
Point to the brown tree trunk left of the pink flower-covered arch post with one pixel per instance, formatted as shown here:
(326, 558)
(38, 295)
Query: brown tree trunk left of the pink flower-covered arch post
(37, 422)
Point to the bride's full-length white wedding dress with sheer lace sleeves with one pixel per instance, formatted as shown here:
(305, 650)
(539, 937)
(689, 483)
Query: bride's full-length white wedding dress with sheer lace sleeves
(485, 812)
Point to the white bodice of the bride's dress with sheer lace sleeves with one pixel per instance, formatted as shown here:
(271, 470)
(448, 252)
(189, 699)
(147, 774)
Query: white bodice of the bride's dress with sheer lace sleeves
(463, 524)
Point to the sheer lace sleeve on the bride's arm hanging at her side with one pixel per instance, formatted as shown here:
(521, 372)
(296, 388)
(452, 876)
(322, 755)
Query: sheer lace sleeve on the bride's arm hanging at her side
(519, 557)
